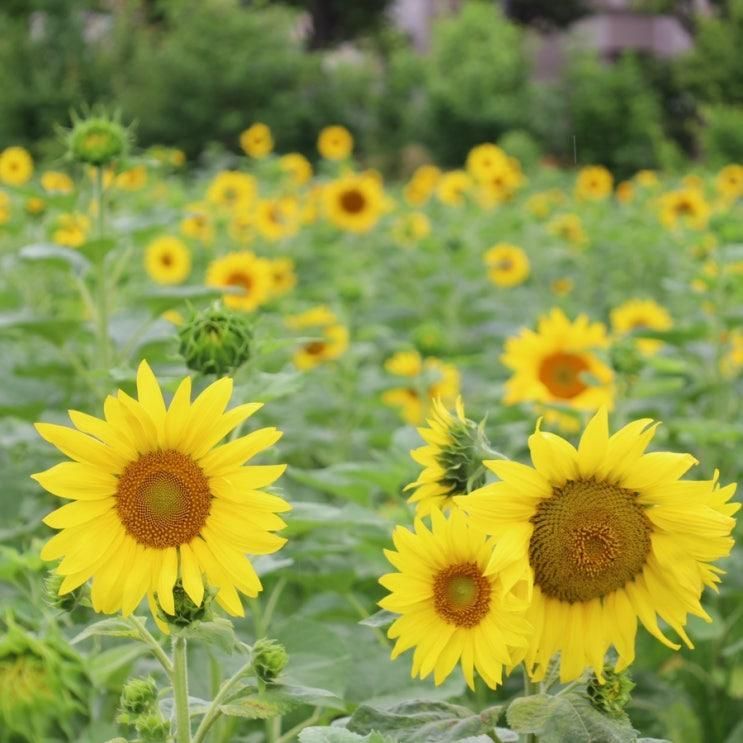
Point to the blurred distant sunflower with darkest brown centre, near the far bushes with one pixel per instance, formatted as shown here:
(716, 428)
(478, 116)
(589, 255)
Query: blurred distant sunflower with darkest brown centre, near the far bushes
(354, 202)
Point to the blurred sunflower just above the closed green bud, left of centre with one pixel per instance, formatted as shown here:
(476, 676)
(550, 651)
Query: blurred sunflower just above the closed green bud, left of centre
(243, 270)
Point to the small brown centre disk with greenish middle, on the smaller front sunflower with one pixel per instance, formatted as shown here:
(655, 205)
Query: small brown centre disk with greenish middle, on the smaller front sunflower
(461, 594)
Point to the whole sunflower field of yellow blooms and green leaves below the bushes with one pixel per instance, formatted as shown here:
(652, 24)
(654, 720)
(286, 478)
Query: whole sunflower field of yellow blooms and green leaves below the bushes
(291, 453)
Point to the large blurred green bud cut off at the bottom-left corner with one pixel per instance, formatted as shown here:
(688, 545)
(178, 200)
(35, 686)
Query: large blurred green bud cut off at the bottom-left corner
(43, 687)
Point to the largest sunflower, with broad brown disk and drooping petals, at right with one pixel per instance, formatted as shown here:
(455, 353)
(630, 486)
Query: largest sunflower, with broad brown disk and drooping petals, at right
(607, 534)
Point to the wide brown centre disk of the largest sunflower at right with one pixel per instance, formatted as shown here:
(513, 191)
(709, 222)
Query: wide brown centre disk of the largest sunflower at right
(590, 538)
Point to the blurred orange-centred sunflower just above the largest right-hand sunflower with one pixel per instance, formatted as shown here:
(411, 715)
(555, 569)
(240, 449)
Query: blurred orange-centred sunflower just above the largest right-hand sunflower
(557, 363)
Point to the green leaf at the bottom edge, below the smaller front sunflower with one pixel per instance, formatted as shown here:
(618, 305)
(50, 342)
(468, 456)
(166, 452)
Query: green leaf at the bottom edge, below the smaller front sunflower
(433, 722)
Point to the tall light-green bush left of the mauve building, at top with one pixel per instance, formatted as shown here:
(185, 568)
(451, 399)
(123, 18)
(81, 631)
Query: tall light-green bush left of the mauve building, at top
(475, 81)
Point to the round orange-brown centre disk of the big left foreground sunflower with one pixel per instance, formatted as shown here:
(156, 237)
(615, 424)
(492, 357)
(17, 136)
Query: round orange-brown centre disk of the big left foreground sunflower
(163, 499)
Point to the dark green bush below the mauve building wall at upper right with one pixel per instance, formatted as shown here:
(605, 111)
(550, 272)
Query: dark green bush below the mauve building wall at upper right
(612, 116)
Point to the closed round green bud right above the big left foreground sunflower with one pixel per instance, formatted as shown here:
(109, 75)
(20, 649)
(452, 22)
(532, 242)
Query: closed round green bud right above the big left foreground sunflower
(216, 341)
